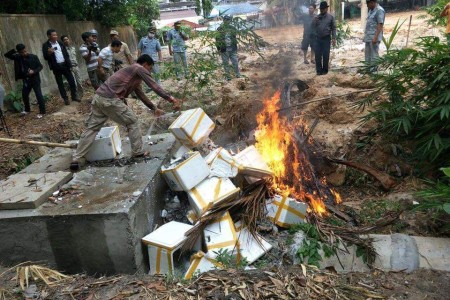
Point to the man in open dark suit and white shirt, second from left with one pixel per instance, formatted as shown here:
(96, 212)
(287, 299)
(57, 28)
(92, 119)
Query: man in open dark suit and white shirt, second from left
(55, 53)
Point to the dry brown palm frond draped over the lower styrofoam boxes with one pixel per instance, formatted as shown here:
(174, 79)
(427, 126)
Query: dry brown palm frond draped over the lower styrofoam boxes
(251, 205)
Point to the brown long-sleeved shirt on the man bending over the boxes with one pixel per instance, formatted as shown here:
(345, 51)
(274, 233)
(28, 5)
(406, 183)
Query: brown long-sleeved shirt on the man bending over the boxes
(128, 80)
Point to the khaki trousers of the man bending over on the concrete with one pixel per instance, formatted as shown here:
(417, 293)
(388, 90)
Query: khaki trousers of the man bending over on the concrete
(101, 110)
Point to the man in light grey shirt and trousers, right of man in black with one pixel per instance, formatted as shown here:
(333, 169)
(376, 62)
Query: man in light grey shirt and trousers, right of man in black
(373, 33)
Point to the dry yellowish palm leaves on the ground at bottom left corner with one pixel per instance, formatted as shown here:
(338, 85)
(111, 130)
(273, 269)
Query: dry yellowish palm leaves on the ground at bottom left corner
(48, 276)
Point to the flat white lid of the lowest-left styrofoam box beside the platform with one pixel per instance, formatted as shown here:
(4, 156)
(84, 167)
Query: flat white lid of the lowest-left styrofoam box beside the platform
(169, 235)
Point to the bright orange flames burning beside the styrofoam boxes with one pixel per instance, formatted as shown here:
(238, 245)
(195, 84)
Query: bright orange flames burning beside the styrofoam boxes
(293, 172)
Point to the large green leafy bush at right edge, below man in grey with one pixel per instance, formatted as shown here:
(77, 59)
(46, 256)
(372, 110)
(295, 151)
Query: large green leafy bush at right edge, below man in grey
(416, 105)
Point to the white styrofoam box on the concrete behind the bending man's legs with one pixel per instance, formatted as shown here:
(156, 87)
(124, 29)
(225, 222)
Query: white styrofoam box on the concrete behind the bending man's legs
(107, 144)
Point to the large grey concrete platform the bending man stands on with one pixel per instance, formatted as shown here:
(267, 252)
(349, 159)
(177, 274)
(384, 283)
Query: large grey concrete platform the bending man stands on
(96, 228)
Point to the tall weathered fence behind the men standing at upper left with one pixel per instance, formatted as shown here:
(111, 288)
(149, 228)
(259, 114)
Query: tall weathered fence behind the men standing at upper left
(31, 31)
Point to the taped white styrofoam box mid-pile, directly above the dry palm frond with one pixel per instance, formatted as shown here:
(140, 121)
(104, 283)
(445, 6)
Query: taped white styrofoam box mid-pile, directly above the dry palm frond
(209, 191)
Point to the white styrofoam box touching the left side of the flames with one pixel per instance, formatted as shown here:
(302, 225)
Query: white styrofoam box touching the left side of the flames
(252, 163)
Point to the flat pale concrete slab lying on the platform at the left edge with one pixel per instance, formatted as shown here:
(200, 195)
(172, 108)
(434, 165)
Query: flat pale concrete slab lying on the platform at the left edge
(21, 191)
